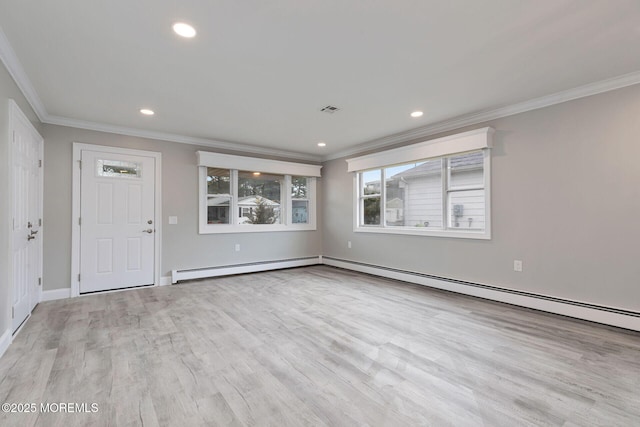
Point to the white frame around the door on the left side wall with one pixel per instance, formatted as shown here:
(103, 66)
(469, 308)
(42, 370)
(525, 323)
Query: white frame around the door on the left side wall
(15, 115)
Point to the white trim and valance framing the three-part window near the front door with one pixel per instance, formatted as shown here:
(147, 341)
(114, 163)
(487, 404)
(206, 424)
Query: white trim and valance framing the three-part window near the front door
(236, 163)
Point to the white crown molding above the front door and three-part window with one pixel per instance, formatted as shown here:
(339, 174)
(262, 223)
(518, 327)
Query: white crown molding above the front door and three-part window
(181, 139)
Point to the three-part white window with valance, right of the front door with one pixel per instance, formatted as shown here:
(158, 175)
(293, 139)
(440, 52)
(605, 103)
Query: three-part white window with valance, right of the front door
(245, 194)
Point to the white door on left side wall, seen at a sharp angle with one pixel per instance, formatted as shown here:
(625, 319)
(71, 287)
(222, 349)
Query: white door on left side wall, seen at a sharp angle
(26, 243)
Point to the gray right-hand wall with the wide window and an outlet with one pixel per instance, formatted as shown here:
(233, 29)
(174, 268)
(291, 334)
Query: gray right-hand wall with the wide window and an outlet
(565, 201)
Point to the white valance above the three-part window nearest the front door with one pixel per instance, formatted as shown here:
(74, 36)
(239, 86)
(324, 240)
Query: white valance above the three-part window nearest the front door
(228, 161)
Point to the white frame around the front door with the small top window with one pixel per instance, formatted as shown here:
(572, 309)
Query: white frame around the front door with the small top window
(75, 210)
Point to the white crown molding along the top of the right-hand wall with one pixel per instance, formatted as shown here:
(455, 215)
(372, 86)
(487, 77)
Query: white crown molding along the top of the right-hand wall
(484, 116)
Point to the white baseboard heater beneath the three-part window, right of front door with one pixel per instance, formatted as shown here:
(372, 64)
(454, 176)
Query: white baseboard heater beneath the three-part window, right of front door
(253, 267)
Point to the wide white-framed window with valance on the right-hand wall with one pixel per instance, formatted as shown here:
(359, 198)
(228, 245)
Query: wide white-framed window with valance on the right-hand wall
(436, 188)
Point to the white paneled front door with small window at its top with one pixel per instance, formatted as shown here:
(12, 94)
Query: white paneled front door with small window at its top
(117, 221)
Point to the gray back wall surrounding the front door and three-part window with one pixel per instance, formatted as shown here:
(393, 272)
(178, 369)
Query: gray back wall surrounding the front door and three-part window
(182, 246)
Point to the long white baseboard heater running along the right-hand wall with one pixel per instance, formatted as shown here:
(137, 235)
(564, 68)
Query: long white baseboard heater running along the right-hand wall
(600, 314)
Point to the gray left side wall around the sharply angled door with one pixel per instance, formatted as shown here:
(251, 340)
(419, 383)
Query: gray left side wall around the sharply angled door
(8, 90)
